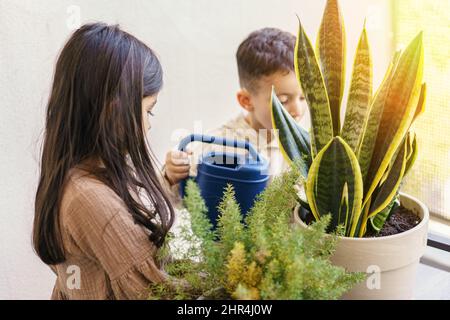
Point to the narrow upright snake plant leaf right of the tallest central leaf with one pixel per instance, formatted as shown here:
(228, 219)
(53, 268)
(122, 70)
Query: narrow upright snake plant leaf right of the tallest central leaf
(360, 94)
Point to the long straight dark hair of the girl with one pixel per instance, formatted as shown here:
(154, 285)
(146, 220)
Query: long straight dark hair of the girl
(95, 112)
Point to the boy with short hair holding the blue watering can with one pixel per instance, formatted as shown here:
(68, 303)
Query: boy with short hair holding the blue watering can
(264, 58)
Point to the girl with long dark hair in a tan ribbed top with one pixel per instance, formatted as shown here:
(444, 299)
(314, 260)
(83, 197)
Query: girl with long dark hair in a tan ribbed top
(101, 213)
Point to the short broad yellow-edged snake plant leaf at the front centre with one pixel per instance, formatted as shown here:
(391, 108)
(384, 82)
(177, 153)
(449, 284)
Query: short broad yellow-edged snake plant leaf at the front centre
(334, 185)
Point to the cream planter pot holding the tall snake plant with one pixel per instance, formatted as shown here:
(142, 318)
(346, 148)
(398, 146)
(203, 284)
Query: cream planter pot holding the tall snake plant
(390, 262)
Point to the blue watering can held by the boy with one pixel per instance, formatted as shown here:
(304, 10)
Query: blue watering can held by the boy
(247, 173)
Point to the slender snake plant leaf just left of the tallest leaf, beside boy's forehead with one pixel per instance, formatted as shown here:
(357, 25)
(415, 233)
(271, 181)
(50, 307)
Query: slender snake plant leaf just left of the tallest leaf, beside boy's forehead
(311, 81)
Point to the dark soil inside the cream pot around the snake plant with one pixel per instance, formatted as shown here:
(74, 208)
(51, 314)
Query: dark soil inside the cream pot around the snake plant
(400, 220)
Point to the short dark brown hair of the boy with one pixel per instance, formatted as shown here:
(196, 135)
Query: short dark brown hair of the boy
(263, 53)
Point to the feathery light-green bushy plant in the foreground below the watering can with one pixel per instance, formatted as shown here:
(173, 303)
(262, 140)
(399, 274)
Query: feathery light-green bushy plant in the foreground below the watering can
(264, 258)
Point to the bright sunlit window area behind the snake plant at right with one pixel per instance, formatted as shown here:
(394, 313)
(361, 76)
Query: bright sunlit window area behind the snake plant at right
(429, 180)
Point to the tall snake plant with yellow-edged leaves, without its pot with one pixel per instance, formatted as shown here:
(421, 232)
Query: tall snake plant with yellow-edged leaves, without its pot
(352, 171)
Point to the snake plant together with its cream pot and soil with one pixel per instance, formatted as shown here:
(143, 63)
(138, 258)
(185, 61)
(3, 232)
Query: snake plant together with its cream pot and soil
(354, 171)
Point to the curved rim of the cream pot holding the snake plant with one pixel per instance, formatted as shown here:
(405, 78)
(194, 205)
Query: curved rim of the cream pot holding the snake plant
(421, 224)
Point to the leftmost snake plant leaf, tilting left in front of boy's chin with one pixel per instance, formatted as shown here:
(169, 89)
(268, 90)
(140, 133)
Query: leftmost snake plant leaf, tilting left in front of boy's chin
(293, 139)
